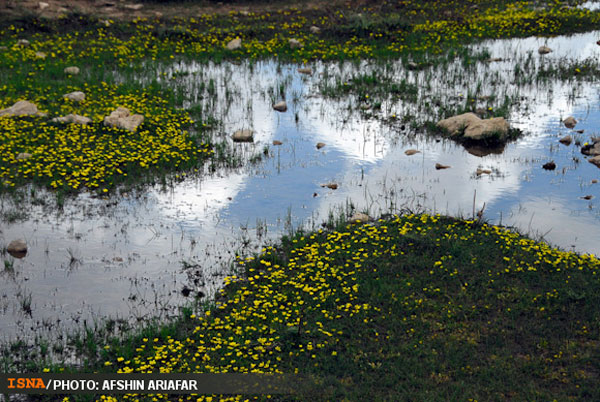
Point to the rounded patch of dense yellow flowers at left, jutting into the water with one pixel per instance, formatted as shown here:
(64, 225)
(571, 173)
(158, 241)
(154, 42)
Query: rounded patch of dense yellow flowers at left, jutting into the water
(93, 156)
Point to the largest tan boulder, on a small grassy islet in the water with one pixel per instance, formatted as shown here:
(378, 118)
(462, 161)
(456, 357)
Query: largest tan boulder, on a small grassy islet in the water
(474, 128)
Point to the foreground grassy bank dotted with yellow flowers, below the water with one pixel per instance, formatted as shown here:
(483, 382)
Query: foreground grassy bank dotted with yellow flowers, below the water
(416, 307)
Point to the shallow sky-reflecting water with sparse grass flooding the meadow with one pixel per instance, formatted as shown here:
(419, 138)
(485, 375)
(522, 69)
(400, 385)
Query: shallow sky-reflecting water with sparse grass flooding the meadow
(140, 254)
